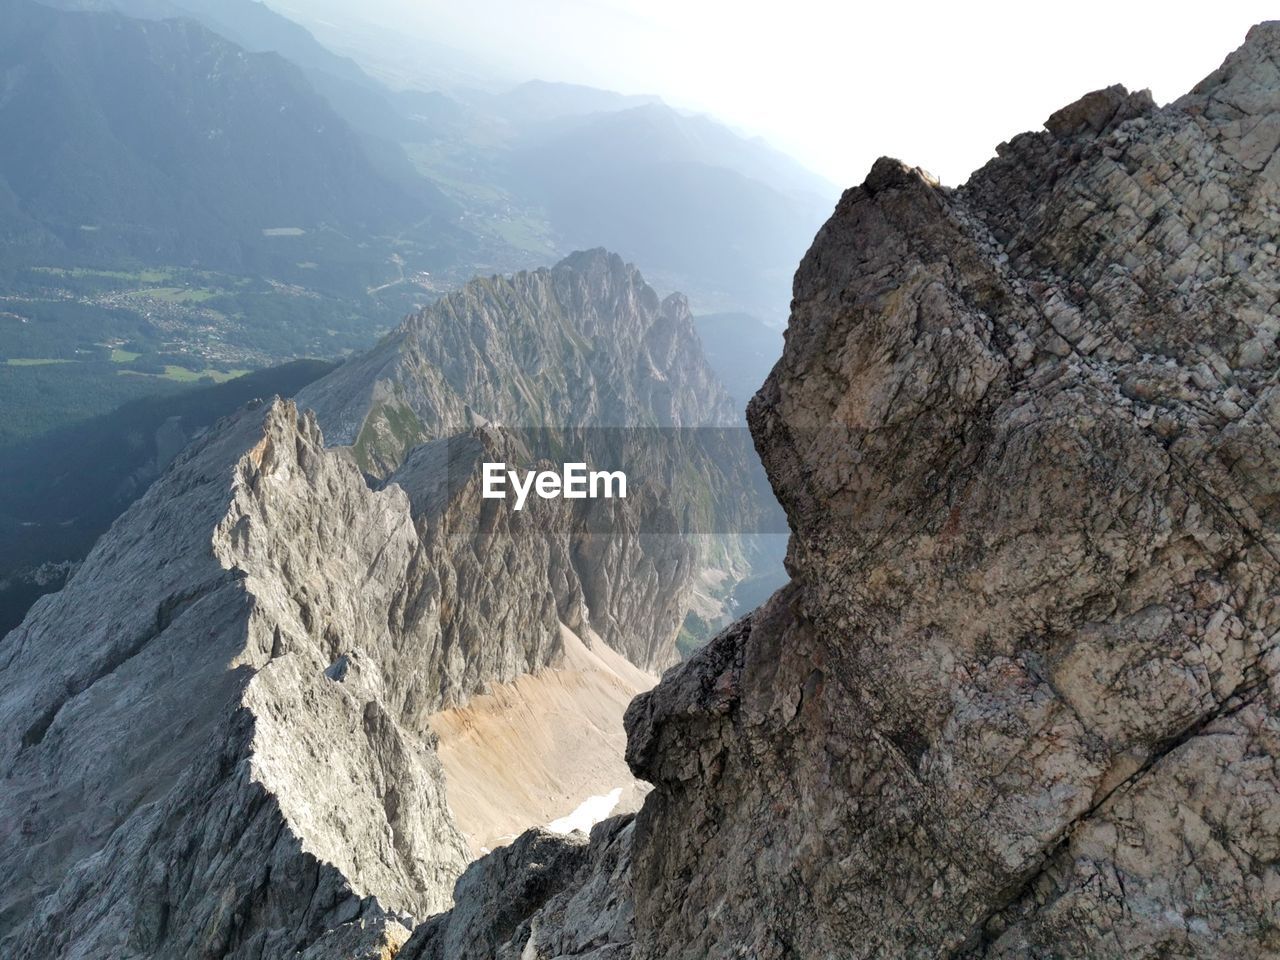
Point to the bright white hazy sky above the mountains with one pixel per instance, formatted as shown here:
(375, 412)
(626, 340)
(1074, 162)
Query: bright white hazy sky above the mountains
(838, 85)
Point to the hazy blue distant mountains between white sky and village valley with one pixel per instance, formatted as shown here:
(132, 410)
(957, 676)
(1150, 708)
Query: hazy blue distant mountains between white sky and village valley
(154, 139)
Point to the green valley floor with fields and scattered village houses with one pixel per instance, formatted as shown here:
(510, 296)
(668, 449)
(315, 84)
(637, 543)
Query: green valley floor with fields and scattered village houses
(79, 341)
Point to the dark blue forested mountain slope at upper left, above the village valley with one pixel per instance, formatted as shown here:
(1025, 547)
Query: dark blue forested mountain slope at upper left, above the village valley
(163, 141)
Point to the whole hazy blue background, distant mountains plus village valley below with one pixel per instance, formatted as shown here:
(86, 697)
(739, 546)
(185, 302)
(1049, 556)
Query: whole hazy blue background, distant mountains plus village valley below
(202, 186)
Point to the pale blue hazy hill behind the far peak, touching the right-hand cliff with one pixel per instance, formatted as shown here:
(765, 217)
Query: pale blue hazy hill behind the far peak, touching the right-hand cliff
(703, 209)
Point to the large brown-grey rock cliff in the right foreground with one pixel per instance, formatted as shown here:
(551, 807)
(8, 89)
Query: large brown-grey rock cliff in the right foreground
(1021, 698)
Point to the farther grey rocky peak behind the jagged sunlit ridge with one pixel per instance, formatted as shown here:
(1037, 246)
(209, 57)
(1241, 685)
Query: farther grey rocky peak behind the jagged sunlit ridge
(582, 362)
